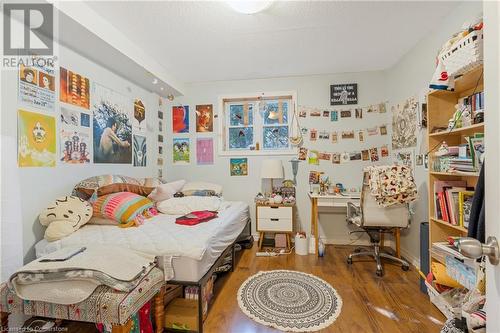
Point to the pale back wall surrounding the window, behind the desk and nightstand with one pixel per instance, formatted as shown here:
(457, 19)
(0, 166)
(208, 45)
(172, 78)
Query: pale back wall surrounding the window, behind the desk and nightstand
(312, 91)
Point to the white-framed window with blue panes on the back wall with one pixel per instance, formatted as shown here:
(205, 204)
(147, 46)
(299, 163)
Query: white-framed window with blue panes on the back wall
(256, 125)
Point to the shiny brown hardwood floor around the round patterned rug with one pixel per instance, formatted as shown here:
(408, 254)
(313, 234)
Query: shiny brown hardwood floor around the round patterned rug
(393, 303)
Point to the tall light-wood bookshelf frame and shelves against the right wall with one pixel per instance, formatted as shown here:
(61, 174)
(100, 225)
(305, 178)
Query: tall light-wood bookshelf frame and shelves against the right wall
(440, 108)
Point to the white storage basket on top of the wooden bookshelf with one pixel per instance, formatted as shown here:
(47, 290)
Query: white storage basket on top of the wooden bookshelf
(464, 54)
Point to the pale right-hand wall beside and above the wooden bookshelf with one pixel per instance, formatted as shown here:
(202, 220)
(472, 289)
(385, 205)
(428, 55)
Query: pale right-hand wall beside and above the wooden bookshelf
(410, 77)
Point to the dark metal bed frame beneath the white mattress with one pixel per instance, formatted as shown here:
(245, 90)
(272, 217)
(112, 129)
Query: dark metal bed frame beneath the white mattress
(200, 283)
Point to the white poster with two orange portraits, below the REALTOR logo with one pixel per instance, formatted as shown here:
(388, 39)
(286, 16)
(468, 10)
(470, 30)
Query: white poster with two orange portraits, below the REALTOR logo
(37, 86)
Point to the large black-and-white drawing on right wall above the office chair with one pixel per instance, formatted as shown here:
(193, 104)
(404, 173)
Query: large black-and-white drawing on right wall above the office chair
(404, 124)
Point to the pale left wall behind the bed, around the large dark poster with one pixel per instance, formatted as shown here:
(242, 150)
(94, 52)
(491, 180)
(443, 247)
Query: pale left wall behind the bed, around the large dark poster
(26, 191)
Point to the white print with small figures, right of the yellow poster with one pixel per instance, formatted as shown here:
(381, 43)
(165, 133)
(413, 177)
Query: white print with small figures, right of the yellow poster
(75, 145)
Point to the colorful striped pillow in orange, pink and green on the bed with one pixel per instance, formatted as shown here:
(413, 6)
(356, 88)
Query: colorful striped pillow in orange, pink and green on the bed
(126, 208)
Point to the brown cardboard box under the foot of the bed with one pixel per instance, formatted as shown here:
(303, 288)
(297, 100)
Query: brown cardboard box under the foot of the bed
(182, 314)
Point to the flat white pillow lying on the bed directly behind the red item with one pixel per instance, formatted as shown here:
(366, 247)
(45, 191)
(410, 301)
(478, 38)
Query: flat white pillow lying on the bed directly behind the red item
(186, 205)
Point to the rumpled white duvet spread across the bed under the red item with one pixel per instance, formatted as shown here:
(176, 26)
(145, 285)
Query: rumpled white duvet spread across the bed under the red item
(159, 235)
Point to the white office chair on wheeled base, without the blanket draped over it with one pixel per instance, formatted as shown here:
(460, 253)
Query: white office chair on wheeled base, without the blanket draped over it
(375, 220)
